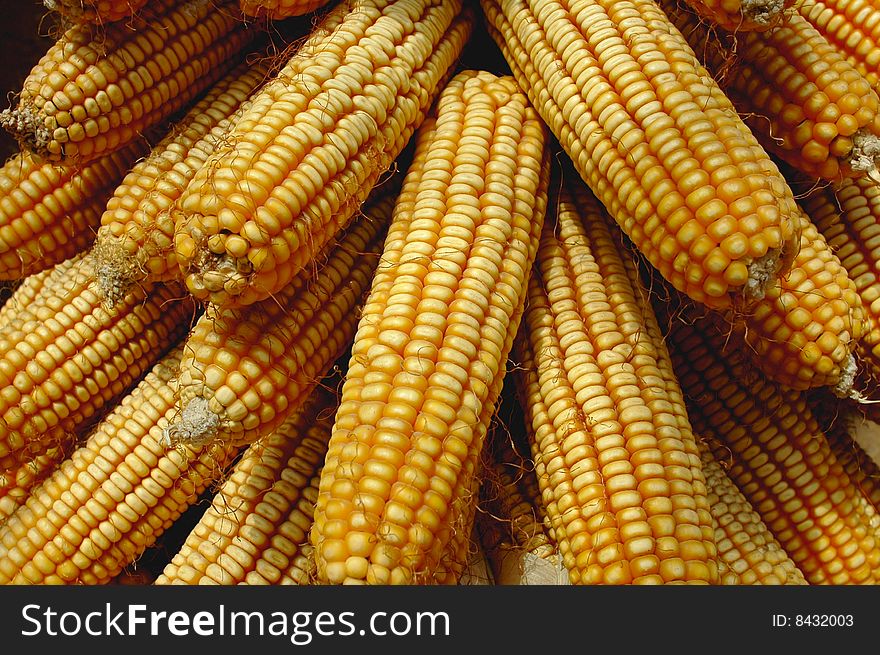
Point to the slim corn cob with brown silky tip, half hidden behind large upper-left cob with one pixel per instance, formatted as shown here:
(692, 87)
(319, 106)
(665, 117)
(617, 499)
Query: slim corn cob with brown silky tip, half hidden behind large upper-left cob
(136, 240)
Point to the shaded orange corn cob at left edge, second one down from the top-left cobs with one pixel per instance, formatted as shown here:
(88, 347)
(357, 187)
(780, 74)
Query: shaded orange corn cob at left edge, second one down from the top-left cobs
(49, 213)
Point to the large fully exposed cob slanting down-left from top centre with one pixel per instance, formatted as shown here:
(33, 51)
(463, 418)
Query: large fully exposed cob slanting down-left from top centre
(314, 142)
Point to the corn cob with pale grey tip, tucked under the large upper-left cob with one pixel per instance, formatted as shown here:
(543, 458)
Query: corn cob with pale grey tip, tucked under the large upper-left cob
(246, 370)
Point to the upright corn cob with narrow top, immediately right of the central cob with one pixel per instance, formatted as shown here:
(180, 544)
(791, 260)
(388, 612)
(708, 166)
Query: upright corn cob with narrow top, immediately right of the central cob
(614, 453)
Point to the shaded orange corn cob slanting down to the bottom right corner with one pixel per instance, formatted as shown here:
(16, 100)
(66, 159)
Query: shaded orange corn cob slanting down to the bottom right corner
(779, 457)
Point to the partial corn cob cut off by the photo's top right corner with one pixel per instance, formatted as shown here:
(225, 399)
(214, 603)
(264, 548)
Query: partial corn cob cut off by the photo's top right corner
(853, 26)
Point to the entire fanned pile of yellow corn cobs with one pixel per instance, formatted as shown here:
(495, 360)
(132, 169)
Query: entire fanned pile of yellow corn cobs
(661, 453)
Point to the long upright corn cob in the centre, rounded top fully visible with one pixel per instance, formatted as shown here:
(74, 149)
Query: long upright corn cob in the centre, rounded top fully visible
(429, 355)
